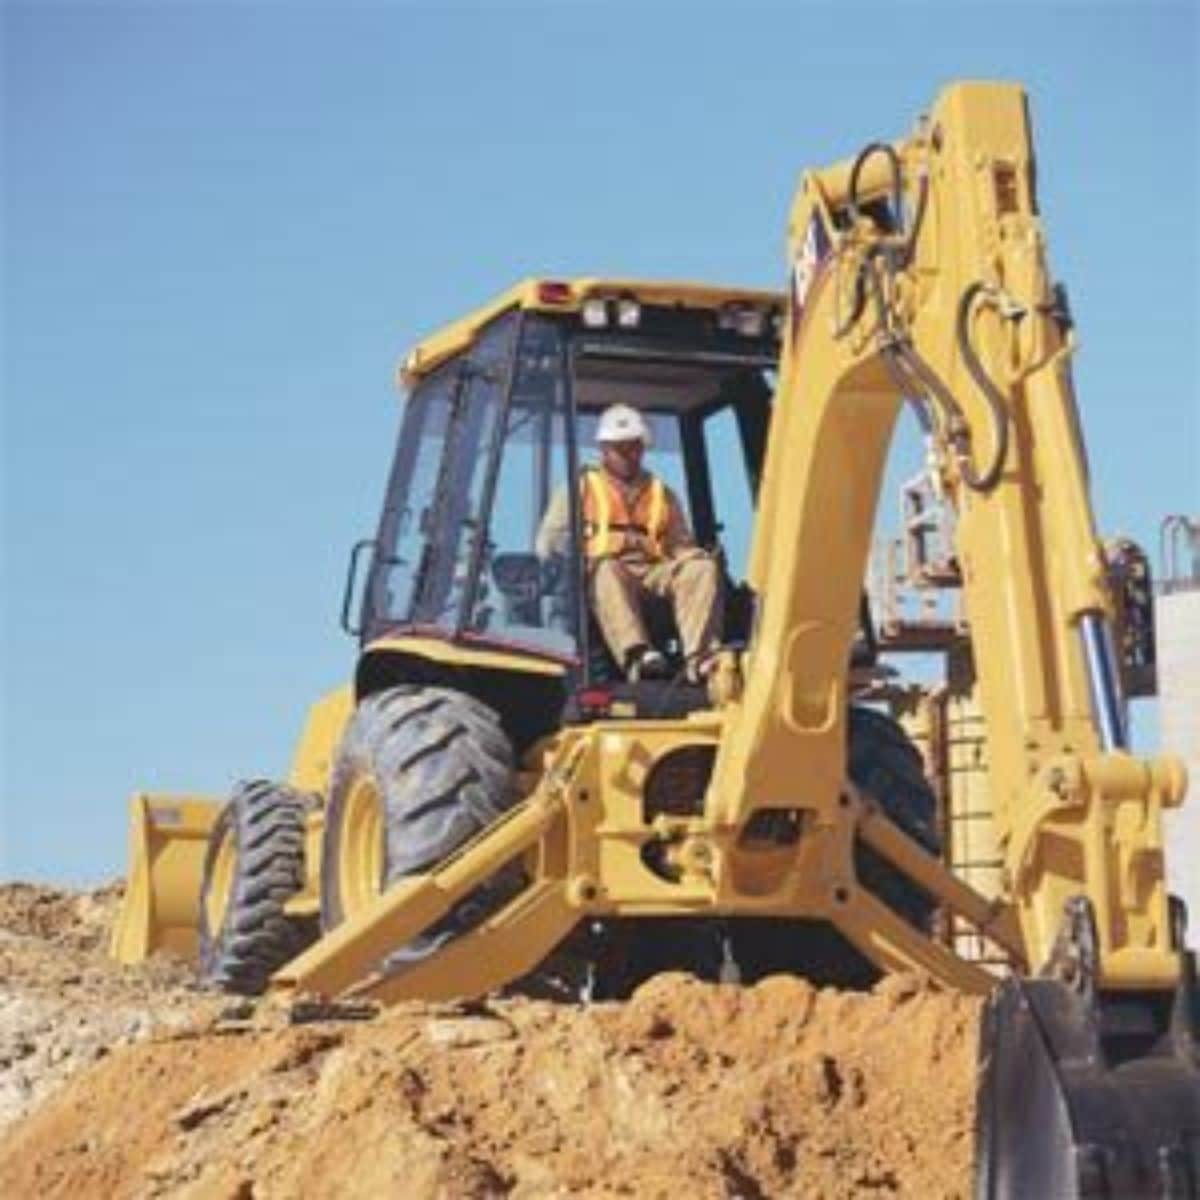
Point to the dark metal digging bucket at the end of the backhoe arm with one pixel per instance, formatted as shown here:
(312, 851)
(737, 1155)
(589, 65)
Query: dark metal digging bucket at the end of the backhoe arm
(1088, 1096)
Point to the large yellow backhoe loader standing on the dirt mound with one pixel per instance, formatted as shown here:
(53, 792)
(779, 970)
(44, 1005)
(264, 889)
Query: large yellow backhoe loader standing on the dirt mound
(493, 805)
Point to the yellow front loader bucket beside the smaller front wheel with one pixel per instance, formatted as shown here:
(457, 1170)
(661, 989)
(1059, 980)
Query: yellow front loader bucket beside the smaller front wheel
(169, 838)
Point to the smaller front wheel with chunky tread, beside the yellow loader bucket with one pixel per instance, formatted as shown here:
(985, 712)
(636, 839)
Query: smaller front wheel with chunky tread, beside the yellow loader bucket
(254, 866)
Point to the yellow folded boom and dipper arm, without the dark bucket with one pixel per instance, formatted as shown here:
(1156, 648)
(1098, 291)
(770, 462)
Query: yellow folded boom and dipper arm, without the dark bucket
(919, 272)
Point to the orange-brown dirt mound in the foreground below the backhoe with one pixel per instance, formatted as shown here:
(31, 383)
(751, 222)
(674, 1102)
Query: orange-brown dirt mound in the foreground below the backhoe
(778, 1090)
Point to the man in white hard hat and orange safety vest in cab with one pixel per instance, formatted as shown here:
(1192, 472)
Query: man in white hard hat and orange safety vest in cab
(638, 544)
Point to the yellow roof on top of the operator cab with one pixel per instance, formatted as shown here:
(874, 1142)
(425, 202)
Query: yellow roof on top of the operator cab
(568, 296)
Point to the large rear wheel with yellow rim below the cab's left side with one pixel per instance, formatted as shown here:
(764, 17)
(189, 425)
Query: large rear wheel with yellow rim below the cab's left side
(421, 772)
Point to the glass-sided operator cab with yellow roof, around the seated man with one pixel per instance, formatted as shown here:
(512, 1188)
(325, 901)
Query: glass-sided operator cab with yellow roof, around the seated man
(501, 416)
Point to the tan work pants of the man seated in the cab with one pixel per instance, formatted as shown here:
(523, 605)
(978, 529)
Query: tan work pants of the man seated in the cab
(692, 583)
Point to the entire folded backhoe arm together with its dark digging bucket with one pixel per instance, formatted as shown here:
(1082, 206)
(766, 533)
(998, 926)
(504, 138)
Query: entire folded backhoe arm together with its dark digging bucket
(919, 272)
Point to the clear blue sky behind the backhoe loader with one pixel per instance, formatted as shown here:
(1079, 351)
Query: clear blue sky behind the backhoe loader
(224, 225)
